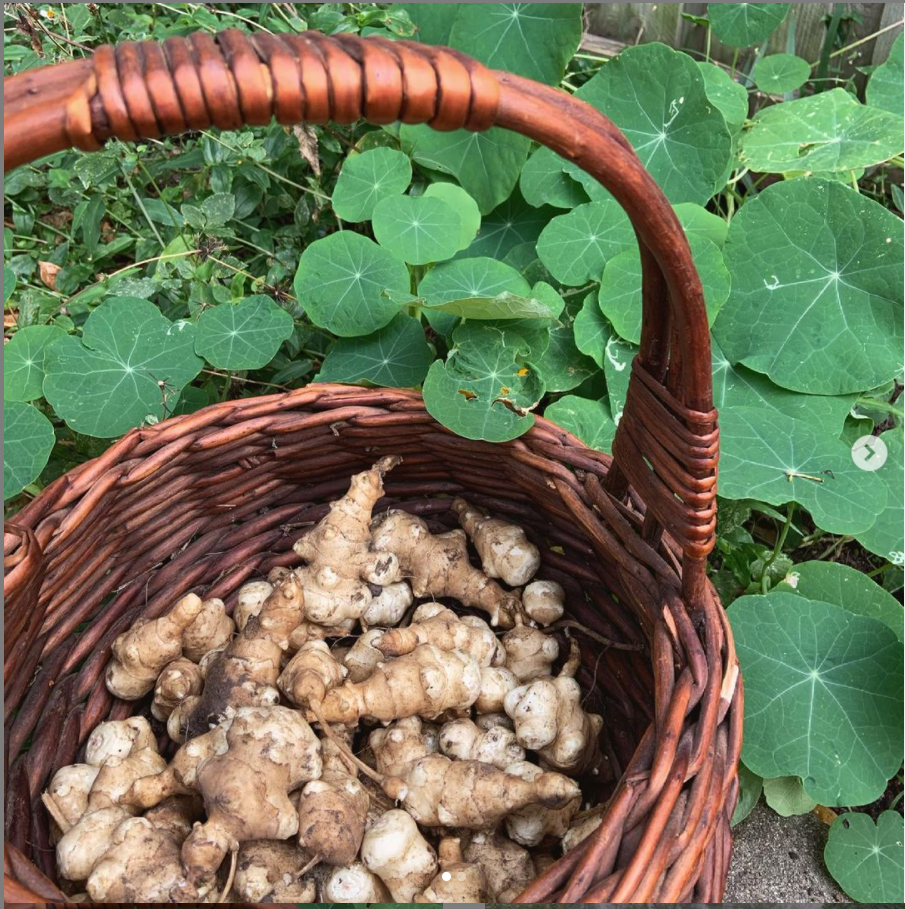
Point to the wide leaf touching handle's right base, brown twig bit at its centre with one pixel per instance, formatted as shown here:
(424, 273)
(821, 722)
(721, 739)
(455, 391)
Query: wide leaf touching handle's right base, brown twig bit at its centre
(777, 459)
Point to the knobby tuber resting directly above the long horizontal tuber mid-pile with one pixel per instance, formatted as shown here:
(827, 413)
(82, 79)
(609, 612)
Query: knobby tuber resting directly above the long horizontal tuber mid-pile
(444, 629)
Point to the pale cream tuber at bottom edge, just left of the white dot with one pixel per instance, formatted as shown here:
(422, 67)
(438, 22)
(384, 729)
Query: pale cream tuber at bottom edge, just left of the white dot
(399, 855)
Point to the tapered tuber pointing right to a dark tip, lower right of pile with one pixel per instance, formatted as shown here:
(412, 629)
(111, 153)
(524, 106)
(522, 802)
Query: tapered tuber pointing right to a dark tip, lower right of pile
(438, 792)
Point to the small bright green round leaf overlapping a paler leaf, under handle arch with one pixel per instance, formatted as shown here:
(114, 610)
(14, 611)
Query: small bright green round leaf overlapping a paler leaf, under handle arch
(418, 229)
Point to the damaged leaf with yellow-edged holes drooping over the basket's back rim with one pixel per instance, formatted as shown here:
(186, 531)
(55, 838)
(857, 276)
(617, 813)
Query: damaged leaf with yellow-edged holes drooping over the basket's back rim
(481, 391)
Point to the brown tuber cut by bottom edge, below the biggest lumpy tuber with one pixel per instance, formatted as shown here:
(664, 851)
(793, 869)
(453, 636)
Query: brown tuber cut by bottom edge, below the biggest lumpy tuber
(268, 871)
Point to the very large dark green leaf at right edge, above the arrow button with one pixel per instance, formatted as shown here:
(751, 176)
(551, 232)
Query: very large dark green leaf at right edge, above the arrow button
(816, 299)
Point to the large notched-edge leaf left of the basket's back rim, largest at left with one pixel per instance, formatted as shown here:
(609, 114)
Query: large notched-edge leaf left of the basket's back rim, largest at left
(128, 368)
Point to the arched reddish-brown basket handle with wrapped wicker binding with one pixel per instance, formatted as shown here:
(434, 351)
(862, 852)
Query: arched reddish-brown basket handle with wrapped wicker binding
(666, 444)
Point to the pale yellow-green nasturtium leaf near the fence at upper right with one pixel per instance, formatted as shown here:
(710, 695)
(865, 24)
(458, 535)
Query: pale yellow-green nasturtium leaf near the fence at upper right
(830, 131)
